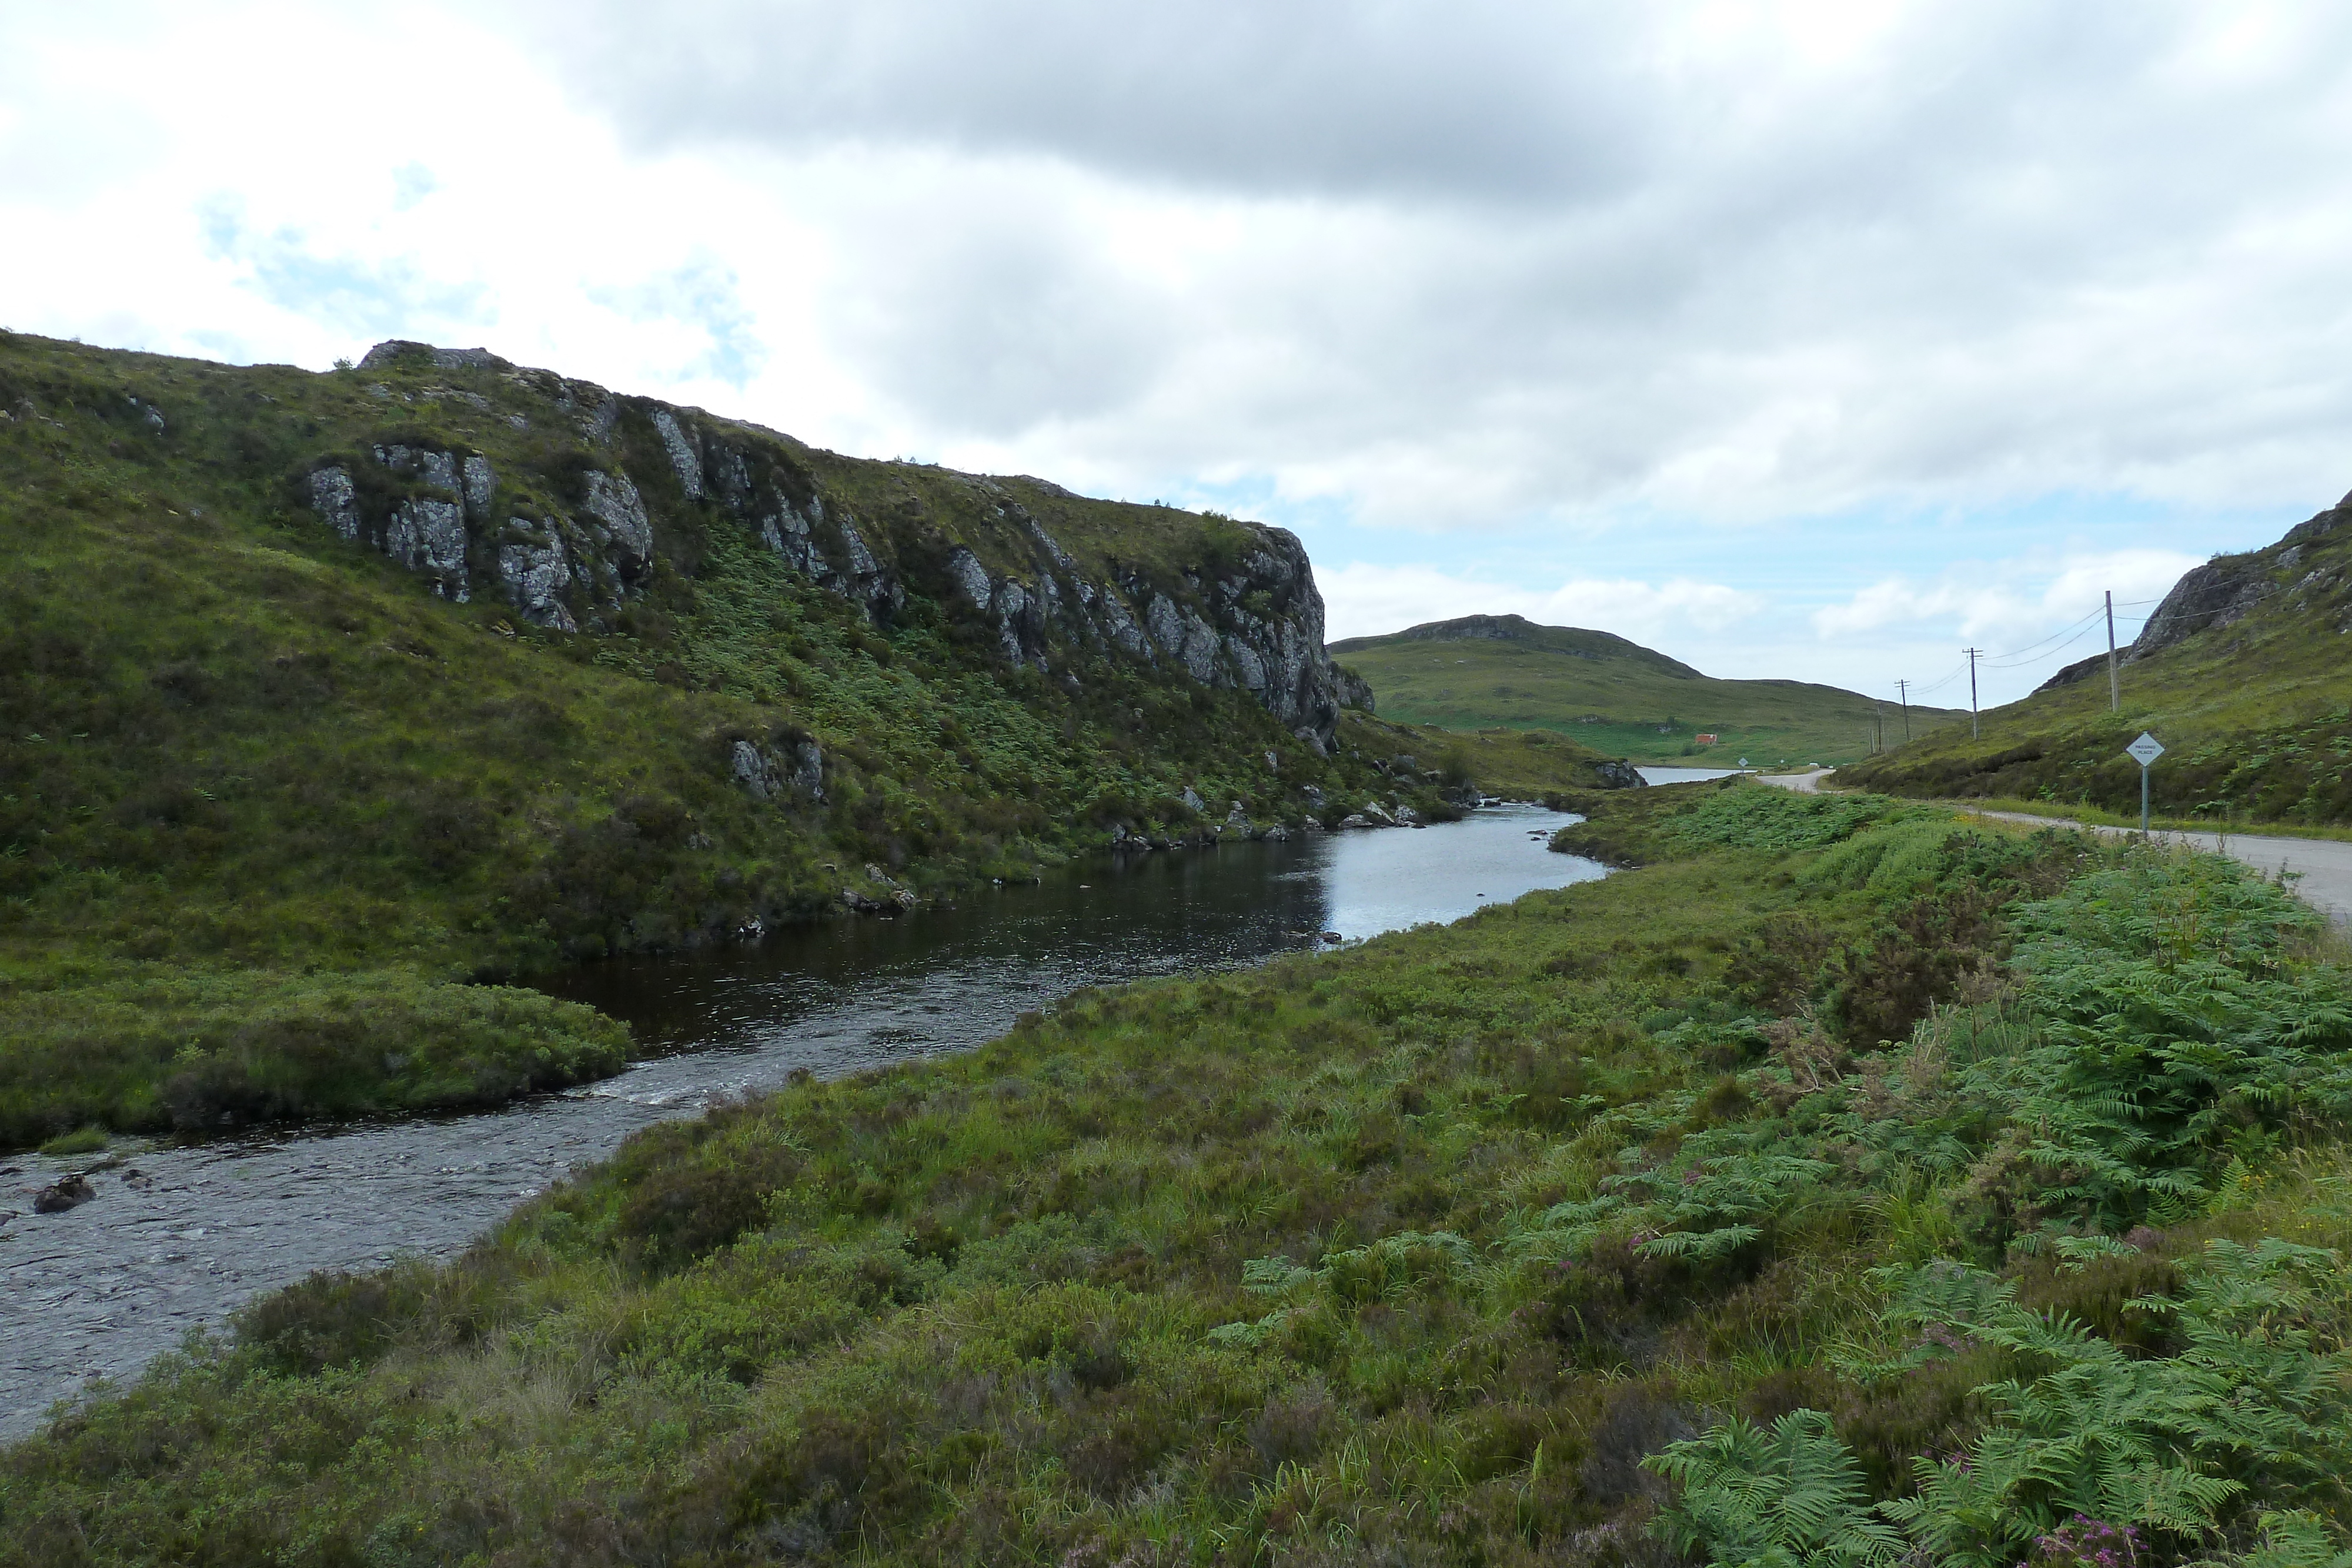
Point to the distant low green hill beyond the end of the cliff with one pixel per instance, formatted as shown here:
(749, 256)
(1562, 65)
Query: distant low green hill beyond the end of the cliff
(1612, 695)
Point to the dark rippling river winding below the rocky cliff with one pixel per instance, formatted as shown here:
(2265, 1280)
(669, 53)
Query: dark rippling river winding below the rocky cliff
(107, 1287)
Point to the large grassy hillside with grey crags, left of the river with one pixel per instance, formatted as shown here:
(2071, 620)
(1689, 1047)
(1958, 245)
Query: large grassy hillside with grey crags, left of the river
(272, 800)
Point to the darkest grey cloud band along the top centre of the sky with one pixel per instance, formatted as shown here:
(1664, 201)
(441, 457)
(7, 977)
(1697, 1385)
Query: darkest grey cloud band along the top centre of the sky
(1330, 95)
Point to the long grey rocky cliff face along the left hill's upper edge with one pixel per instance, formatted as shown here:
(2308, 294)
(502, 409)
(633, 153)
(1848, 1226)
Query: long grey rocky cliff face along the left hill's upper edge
(568, 523)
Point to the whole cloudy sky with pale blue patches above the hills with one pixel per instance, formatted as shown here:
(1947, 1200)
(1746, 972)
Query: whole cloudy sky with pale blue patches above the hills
(1793, 340)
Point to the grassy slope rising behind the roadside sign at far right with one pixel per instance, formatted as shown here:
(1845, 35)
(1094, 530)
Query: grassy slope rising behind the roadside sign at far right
(2243, 674)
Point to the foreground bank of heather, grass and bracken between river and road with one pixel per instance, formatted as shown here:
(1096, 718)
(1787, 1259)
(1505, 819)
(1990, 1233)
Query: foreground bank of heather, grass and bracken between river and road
(1843, 1188)
